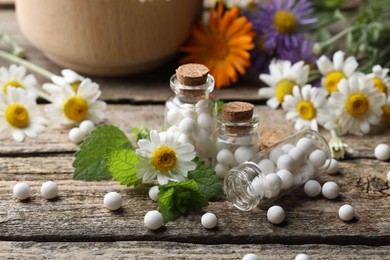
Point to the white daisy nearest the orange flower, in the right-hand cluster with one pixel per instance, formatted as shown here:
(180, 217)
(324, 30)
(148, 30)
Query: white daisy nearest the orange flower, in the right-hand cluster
(281, 80)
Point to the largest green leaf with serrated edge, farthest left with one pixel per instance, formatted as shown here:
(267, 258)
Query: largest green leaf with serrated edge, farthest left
(90, 160)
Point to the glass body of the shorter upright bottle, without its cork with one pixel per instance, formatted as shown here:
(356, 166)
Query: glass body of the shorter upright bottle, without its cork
(235, 143)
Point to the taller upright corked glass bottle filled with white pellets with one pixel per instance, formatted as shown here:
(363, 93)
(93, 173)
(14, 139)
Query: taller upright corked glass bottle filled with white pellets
(191, 110)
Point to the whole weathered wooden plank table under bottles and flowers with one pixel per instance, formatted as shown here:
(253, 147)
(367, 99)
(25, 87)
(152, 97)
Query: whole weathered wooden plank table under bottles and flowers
(77, 226)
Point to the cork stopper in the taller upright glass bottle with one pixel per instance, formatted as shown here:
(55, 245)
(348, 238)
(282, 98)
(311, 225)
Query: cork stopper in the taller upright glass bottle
(192, 74)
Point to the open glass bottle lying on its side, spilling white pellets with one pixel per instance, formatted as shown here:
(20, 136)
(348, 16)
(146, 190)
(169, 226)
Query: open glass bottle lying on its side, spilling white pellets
(277, 170)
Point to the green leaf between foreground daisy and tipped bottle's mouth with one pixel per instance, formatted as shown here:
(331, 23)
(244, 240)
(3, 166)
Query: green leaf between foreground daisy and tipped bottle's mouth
(208, 182)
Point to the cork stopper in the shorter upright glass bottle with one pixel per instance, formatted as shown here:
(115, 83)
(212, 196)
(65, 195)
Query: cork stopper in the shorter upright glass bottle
(237, 111)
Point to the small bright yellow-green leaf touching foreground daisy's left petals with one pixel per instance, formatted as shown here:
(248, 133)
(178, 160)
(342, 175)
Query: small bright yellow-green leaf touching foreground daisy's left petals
(121, 164)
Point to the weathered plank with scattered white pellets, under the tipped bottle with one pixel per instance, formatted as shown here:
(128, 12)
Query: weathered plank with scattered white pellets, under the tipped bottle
(78, 214)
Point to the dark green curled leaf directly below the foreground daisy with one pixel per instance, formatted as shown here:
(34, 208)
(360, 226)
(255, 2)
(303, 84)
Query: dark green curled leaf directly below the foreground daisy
(178, 198)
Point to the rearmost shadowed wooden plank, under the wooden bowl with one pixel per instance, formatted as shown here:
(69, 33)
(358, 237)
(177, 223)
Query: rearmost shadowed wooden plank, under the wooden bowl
(152, 86)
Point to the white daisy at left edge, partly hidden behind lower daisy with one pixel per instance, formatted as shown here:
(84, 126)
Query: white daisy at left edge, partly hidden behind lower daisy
(16, 77)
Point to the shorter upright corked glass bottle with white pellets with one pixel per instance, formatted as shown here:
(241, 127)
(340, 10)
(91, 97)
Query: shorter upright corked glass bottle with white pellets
(236, 137)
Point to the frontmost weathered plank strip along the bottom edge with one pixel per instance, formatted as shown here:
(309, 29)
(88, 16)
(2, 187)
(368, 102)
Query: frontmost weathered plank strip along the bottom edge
(171, 250)
